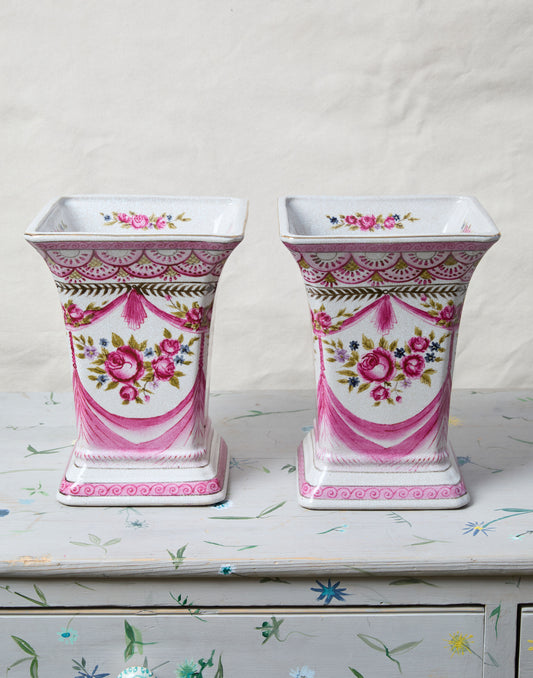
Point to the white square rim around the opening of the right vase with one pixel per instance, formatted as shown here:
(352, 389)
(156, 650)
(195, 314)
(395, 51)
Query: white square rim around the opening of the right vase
(288, 237)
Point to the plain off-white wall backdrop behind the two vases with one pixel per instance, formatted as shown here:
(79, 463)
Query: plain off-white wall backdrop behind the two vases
(260, 99)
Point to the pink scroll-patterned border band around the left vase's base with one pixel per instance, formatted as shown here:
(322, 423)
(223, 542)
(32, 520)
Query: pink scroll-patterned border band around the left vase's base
(196, 488)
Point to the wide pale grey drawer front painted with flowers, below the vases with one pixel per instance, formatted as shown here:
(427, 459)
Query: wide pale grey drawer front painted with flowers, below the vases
(445, 643)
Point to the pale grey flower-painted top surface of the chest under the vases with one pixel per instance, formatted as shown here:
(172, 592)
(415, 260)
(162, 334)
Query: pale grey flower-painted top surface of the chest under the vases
(260, 529)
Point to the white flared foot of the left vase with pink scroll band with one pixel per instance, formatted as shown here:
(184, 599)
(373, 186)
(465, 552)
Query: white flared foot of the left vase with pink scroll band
(157, 486)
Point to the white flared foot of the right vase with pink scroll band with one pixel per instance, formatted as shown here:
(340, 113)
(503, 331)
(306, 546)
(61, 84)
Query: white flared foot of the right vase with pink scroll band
(345, 489)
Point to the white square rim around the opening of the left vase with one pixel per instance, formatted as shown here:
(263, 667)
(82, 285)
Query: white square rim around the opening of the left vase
(32, 234)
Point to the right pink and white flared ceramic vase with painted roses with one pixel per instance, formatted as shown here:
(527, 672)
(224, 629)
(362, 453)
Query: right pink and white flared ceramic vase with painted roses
(386, 279)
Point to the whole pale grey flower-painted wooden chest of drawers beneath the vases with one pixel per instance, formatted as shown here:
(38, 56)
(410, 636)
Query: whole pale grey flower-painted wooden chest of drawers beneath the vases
(257, 585)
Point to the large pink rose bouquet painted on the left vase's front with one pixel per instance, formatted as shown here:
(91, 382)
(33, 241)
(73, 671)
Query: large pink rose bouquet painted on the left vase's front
(135, 368)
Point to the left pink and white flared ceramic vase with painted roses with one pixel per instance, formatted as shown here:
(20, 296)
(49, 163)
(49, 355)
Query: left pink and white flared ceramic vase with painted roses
(136, 278)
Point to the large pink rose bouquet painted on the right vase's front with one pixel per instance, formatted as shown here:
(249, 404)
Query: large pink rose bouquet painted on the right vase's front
(388, 369)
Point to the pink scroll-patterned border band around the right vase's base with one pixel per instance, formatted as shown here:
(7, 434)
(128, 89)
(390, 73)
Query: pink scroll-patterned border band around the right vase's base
(374, 492)
